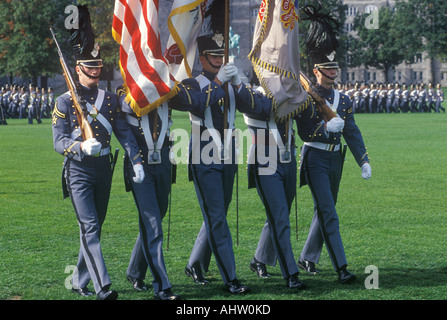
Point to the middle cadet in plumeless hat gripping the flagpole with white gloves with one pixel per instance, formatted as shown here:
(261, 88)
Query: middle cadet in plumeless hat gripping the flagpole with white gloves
(213, 173)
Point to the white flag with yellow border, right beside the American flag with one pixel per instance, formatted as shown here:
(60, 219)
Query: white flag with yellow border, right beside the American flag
(184, 23)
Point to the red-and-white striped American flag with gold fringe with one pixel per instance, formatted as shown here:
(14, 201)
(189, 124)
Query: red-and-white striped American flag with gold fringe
(145, 71)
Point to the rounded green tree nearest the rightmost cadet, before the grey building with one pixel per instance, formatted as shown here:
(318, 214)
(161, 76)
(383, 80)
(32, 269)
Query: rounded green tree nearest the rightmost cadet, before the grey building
(382, 47)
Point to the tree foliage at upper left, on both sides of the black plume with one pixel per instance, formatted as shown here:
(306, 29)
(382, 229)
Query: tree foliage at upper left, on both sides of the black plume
(27, 49)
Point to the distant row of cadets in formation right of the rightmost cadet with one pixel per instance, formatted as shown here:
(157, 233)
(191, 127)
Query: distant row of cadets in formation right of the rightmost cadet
(389, 98)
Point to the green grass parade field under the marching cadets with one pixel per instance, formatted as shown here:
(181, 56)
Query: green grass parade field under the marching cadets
(396, 221)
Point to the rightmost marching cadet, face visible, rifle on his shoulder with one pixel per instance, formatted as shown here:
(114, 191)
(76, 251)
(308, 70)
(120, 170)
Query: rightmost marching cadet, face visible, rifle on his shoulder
(320, 169)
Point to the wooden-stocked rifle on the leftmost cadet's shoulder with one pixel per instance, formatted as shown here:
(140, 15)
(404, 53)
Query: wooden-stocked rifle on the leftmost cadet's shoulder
(78, 102)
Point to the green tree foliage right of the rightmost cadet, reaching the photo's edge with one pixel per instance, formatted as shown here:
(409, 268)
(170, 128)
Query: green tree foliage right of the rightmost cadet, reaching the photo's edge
(410, 28)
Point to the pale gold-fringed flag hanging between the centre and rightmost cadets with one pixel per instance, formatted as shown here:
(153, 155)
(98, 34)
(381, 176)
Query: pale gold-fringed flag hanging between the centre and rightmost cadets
(276, 58)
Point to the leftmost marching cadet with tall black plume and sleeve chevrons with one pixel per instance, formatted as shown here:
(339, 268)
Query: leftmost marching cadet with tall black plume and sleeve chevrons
(87, 171)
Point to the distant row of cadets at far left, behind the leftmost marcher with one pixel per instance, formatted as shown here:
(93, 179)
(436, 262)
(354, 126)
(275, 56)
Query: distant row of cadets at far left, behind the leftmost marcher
(19, 102)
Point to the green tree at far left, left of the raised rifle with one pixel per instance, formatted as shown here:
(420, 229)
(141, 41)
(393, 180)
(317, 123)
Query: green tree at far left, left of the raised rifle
(26, 45)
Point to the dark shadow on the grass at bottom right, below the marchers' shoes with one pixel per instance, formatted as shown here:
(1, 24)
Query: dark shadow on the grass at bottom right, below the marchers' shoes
(318, 285)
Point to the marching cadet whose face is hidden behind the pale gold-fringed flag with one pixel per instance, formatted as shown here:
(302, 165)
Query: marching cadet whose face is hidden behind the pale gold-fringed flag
(272, 170)
